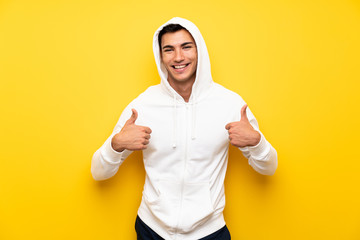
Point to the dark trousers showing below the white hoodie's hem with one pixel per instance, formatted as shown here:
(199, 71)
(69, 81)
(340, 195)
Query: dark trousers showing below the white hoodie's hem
(145, 233)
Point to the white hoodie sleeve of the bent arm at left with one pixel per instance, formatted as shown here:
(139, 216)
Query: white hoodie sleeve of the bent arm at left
(106, 161)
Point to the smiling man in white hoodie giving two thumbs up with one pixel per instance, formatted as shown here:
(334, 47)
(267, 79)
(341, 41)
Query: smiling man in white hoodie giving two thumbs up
(184, 126)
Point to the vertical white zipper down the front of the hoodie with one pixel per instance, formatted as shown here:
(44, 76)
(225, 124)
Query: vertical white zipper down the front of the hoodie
(184, 168)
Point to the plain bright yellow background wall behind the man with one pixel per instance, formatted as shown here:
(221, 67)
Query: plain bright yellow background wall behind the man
(69, 68)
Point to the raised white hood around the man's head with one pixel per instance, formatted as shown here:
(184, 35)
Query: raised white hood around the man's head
(203, 78)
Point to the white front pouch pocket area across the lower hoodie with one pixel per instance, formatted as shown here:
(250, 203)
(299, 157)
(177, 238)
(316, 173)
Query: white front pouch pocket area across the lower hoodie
(179, 206)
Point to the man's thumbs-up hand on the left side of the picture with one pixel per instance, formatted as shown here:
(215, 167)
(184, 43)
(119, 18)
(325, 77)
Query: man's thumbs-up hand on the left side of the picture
(131, 137)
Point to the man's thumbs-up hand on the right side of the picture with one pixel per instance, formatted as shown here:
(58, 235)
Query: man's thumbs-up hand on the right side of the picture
(241, 133)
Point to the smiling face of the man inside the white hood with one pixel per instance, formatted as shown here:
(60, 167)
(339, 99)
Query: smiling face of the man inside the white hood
(179, 56)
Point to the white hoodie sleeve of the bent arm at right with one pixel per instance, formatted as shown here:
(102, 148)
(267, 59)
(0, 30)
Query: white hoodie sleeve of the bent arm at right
(262, 157)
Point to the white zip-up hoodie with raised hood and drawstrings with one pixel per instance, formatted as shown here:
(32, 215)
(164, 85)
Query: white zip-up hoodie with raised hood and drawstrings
(186, 158)
